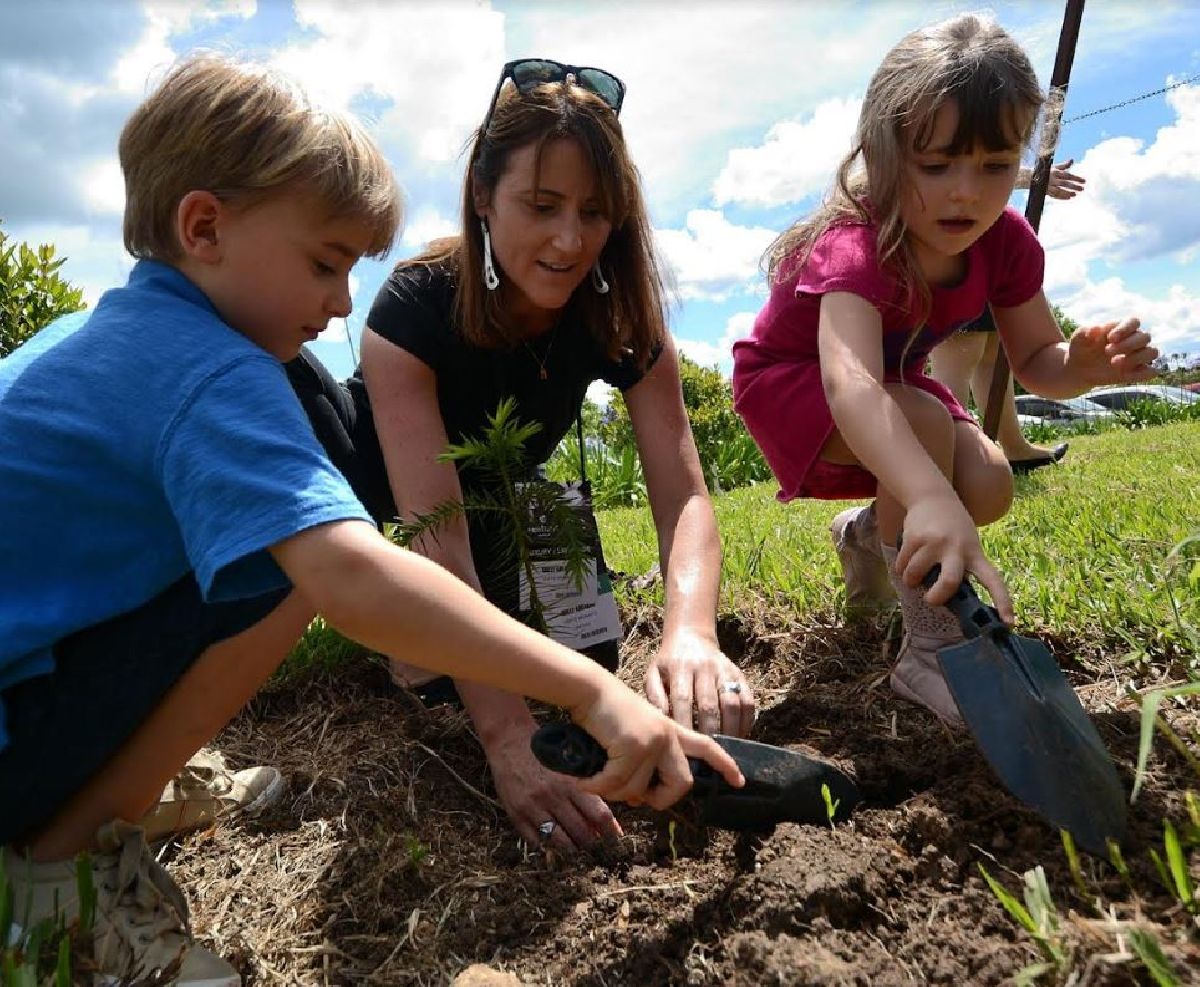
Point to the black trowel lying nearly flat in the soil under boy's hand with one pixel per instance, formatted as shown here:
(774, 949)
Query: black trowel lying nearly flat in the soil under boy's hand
(782, 786)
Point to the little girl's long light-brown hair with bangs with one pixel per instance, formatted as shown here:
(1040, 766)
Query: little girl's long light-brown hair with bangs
(970, 61)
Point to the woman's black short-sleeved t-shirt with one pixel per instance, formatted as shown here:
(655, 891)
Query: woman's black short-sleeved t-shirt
(415, 312)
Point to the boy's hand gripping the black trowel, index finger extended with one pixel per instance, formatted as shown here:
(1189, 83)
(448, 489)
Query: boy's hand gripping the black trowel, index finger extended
(647, 752)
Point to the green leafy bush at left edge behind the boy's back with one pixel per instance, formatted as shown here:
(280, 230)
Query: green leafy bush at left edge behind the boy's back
(32, 294)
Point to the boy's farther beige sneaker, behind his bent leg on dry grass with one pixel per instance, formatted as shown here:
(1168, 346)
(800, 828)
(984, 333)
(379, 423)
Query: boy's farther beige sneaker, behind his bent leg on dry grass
(205, 791)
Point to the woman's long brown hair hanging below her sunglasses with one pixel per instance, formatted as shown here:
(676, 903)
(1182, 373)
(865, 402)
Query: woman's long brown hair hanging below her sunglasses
(632, 314)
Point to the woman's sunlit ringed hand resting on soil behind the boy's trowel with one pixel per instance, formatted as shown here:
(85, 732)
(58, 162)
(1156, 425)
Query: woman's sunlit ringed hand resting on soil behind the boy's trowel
(689, 669)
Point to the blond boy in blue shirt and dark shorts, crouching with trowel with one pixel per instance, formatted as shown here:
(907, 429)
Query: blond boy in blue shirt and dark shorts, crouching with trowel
(172, 525)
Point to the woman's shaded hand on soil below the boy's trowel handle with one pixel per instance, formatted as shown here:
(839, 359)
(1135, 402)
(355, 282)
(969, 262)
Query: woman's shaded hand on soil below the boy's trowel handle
(533, 797)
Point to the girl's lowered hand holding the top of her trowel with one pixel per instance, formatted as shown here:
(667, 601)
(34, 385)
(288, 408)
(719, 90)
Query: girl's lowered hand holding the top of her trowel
(939, 531)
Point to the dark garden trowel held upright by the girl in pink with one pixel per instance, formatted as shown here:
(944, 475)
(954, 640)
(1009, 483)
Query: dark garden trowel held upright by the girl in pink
(1030, 725)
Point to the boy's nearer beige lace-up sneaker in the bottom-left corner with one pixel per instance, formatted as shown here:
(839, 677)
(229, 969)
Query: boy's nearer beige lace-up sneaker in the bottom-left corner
(141, 932)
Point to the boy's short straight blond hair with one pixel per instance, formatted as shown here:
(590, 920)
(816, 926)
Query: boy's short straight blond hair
(245, 134)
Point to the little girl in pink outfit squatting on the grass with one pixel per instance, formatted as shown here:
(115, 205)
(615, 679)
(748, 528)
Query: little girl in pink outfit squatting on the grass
(909, 247)
